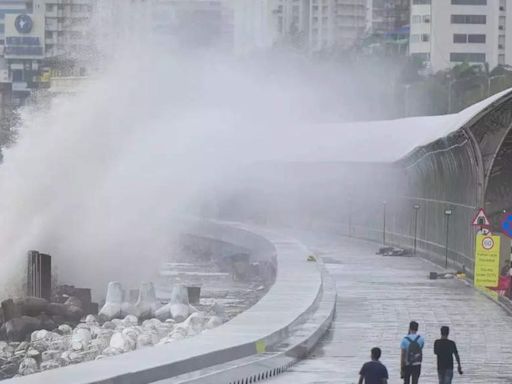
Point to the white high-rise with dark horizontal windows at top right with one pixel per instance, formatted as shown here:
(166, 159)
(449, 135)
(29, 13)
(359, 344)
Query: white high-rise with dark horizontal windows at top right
(449, 32)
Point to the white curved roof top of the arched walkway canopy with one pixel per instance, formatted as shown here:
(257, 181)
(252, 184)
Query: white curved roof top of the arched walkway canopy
(379, 141)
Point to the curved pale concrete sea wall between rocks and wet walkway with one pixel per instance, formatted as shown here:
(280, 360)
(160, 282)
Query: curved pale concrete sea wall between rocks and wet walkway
(293, 299)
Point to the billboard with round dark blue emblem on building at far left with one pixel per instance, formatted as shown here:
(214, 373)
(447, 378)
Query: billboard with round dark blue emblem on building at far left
(24, 36)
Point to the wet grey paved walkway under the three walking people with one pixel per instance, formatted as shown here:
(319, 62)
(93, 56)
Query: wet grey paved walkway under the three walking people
(378, 296)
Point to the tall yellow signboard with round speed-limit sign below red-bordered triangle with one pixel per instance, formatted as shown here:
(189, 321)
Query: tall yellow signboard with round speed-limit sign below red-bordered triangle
(487, 261)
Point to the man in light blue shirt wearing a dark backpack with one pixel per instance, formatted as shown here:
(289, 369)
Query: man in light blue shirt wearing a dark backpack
(411, 354)
